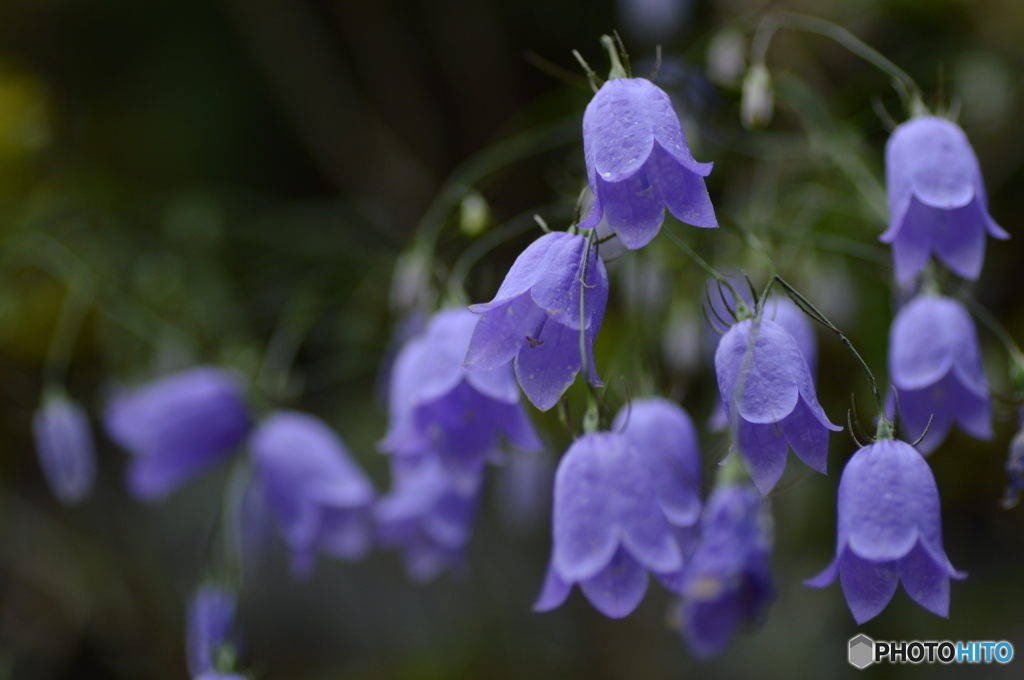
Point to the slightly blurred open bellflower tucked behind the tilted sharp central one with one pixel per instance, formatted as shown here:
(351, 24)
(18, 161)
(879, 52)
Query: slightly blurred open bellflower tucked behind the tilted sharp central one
(439, 406)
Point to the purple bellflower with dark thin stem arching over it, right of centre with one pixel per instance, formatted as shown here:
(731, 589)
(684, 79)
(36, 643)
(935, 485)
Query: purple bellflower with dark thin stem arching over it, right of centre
(771, 401)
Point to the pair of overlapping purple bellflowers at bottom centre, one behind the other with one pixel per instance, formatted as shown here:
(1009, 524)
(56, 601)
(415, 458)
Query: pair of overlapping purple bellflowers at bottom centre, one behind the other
(624, 505)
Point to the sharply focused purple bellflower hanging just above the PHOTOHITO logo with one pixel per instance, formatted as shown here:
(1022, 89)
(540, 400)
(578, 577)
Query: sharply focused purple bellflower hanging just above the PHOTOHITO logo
(889, 530)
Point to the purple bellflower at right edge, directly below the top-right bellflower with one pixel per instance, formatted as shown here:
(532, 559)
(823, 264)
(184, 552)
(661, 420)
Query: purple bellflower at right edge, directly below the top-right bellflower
(935, 364)
